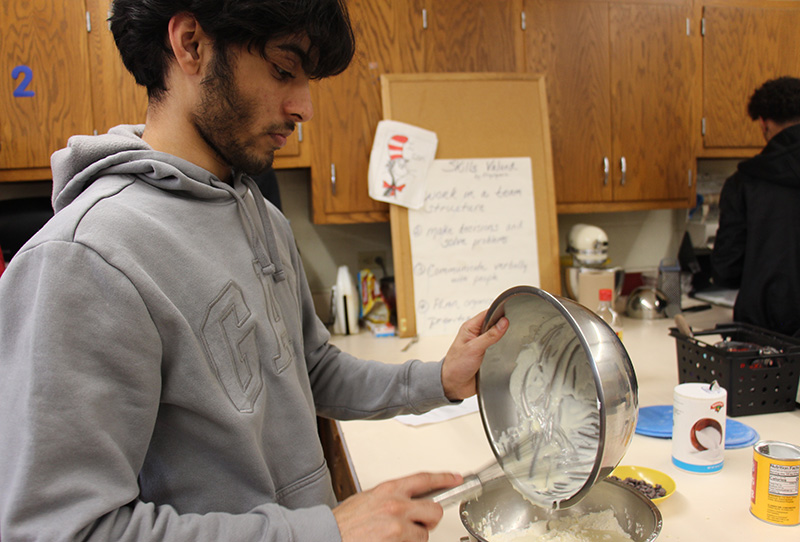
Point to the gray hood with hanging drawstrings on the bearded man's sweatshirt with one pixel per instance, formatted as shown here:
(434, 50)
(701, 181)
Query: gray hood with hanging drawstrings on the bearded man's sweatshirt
(122, 151)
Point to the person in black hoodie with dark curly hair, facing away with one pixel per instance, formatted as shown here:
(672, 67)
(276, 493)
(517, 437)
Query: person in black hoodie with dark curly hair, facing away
(757, 247)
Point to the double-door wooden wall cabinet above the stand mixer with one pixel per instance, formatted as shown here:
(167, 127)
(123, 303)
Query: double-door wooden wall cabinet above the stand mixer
(620, 79)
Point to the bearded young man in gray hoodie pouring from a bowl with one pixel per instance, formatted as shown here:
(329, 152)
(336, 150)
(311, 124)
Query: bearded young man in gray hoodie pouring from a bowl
(162, 362)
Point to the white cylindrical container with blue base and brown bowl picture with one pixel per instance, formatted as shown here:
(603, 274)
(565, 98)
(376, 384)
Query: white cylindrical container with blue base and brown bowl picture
(698, 427)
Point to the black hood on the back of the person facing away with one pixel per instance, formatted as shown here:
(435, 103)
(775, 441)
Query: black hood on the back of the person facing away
(779, 161)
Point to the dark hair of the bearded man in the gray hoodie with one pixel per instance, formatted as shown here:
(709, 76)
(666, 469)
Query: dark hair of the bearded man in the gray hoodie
(140, 32)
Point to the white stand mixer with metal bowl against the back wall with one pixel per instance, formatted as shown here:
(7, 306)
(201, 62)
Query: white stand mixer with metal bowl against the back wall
(589, 272)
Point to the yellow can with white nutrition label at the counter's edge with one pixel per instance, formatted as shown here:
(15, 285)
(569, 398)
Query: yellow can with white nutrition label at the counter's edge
(776, 480)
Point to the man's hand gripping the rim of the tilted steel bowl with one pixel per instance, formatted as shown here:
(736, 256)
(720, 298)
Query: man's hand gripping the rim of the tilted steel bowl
(465, 356)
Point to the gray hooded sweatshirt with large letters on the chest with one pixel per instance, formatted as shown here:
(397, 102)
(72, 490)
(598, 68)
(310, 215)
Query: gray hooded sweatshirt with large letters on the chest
(162, 364)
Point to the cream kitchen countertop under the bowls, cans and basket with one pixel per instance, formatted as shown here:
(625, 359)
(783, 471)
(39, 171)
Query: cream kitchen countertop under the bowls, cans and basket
(703, 505)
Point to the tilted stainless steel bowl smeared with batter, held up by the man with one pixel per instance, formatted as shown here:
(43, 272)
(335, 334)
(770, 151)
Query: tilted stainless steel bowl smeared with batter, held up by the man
(558, 396)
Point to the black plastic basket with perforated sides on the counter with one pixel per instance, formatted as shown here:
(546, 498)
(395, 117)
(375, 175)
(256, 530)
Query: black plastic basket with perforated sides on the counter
(757, 381)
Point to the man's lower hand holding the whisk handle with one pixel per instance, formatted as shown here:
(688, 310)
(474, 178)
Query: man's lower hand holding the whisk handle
(388, 512)
